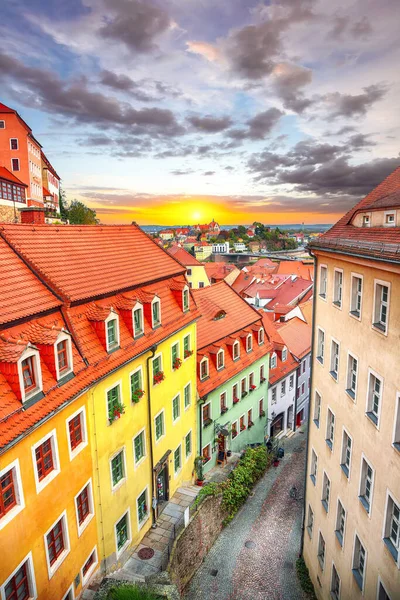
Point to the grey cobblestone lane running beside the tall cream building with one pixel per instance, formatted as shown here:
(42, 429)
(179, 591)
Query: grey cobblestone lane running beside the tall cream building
(271, 519)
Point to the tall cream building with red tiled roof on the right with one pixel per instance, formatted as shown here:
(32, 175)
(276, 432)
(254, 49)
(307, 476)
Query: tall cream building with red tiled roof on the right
(352, 503)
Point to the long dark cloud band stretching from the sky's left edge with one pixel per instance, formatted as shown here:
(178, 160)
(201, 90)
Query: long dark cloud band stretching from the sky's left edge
(44, 90)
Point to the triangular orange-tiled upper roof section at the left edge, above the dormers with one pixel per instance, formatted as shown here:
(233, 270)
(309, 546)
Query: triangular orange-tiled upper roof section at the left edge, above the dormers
(22, 294)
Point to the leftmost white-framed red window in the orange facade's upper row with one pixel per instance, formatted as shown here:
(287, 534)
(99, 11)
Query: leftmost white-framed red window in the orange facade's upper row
(11, 493)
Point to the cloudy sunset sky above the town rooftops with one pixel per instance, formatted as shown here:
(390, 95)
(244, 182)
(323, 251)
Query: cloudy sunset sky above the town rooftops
(180, 111)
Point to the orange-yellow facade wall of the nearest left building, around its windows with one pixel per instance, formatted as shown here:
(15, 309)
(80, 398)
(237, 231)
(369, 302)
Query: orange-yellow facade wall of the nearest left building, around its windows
(25, 532)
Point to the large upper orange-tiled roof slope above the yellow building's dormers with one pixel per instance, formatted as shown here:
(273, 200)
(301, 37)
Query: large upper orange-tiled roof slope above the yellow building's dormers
(87, 261)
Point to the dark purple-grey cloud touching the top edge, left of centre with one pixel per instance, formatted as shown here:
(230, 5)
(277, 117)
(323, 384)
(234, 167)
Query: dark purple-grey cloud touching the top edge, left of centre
(136, 23)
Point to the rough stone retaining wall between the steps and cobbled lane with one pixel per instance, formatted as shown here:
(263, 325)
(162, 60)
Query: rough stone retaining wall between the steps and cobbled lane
(194, 543)
